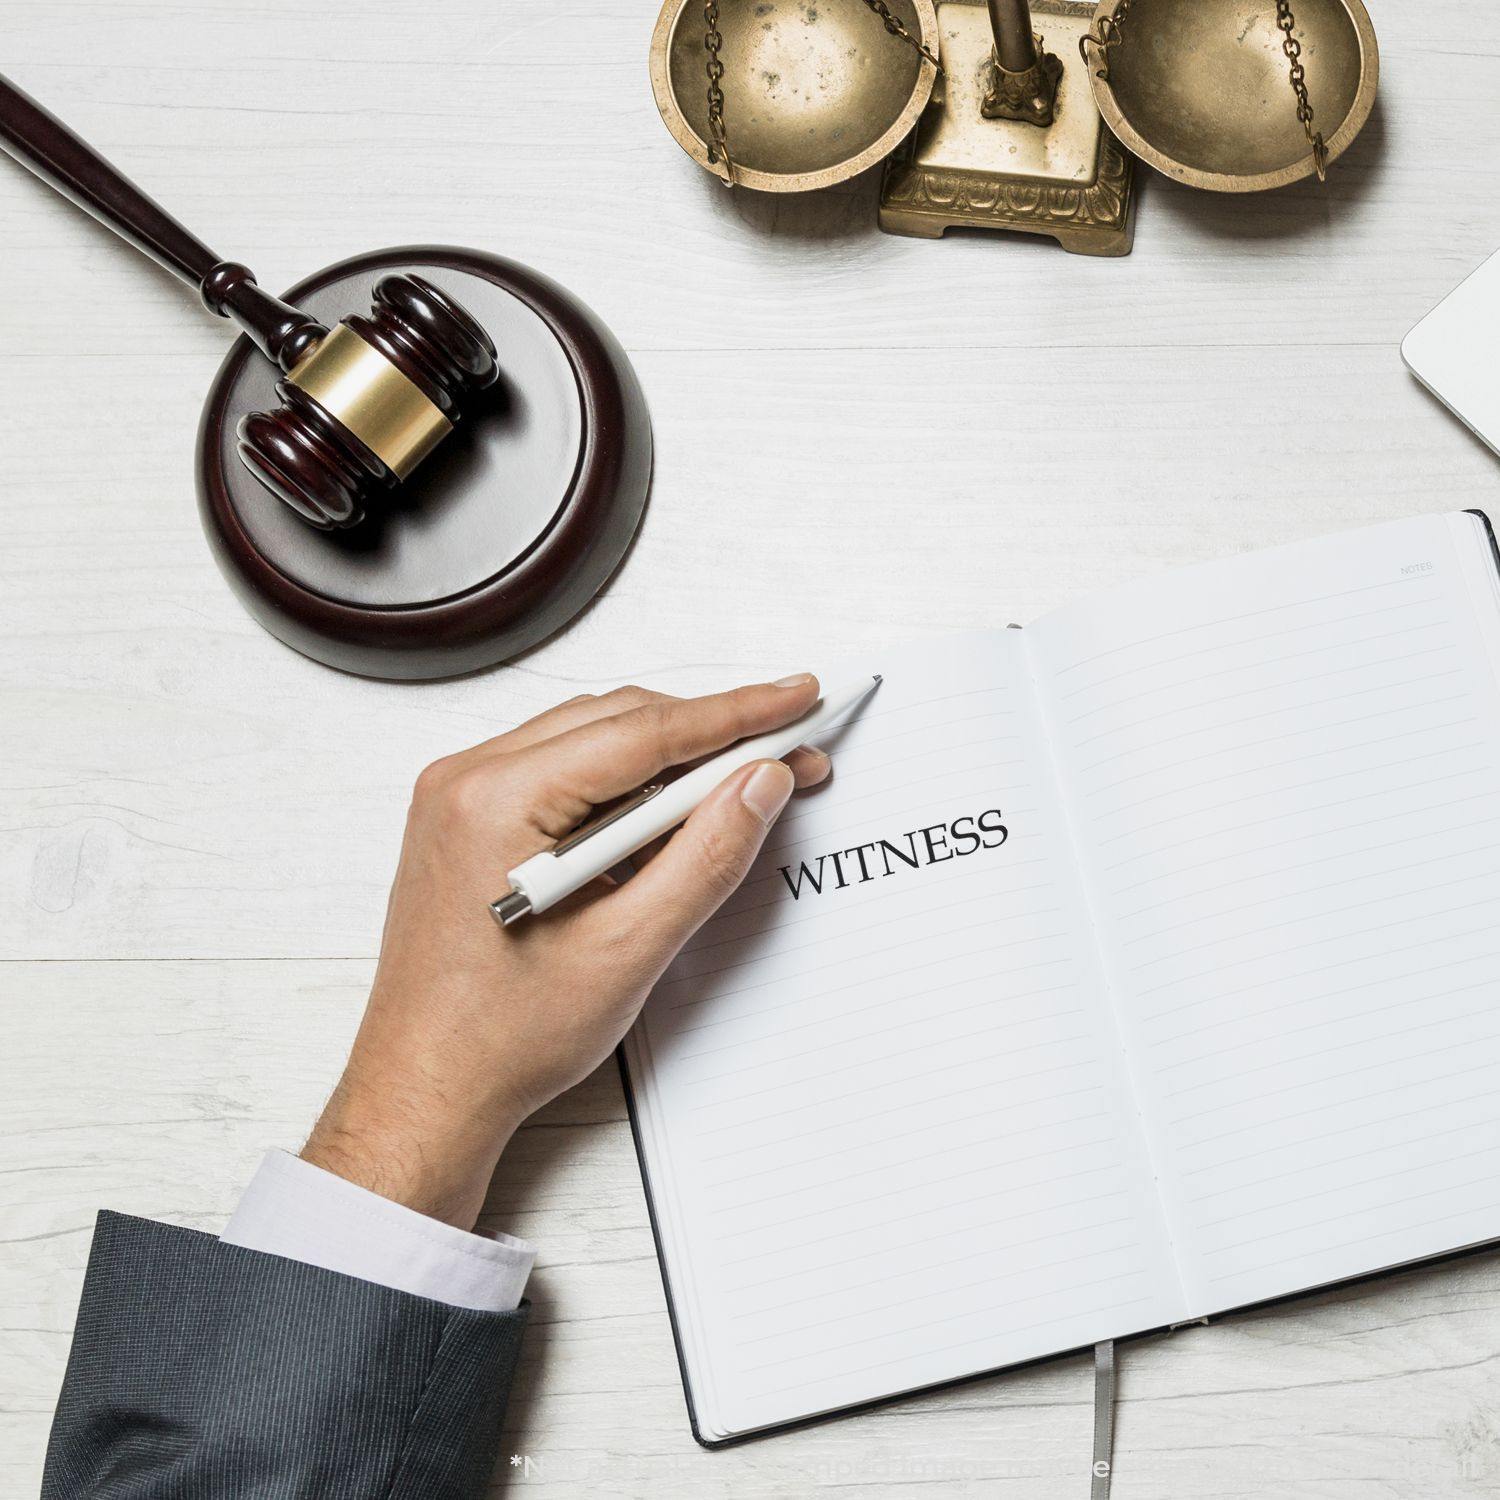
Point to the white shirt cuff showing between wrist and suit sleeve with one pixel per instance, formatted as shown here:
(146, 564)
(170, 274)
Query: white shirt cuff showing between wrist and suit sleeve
(302, 1213)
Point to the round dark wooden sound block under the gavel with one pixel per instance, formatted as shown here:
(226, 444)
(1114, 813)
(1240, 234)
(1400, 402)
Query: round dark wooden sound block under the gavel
(503, 536)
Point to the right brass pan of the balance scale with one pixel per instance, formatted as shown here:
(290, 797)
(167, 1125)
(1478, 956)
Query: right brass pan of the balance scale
(1201, 89)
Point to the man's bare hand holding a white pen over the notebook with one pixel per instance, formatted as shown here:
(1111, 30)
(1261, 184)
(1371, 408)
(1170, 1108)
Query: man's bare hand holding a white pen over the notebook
(470, 1030)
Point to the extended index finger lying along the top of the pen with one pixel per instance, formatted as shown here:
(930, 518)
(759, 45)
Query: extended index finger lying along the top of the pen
(607, 758)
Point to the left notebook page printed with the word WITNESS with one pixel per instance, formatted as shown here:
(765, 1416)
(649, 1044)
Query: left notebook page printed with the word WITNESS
(884, 1124)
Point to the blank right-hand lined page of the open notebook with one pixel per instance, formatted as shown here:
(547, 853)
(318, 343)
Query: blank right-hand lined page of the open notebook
(1283, 778)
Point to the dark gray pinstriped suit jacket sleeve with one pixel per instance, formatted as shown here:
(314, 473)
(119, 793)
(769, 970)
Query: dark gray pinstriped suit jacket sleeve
(205, 1370)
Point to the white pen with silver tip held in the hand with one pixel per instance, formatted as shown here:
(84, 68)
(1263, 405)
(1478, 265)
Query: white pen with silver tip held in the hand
(601, 845)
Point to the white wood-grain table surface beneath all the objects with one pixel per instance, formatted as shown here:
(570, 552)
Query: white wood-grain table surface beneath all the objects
(859, 439)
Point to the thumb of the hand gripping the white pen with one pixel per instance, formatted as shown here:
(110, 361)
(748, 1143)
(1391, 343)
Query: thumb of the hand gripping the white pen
(709, 857)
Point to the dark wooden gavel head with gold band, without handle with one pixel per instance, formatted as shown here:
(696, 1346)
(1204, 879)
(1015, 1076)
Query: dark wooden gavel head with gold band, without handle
(368, 401)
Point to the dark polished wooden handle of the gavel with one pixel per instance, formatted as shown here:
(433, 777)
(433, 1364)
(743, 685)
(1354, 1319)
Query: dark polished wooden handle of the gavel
(40, 142)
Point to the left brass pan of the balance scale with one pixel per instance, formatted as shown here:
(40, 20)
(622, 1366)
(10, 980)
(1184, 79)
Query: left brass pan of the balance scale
(815, 91)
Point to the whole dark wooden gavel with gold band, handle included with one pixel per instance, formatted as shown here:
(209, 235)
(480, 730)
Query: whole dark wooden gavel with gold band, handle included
(362, 404)
